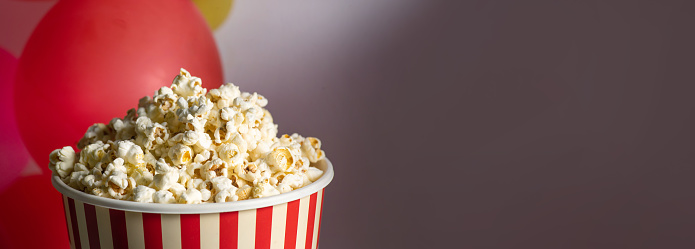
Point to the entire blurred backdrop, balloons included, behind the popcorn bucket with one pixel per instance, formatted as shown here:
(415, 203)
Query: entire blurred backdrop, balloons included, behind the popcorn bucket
(451, 124)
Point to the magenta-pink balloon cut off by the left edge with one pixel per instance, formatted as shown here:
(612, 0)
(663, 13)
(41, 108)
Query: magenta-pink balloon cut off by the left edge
(13, 154)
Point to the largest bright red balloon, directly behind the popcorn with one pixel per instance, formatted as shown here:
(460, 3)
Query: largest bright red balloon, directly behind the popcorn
(90, 61)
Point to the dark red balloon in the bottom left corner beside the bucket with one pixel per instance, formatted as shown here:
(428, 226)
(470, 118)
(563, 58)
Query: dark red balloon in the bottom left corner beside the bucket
(32, 215)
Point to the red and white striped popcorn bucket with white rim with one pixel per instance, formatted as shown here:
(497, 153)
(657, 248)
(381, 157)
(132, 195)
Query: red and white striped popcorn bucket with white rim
(289, 220)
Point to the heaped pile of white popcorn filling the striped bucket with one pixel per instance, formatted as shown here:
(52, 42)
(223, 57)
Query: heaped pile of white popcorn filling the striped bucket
(190, 145)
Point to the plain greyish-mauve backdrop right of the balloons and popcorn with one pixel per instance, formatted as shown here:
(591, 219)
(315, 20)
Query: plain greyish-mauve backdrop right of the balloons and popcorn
(484, 124)
